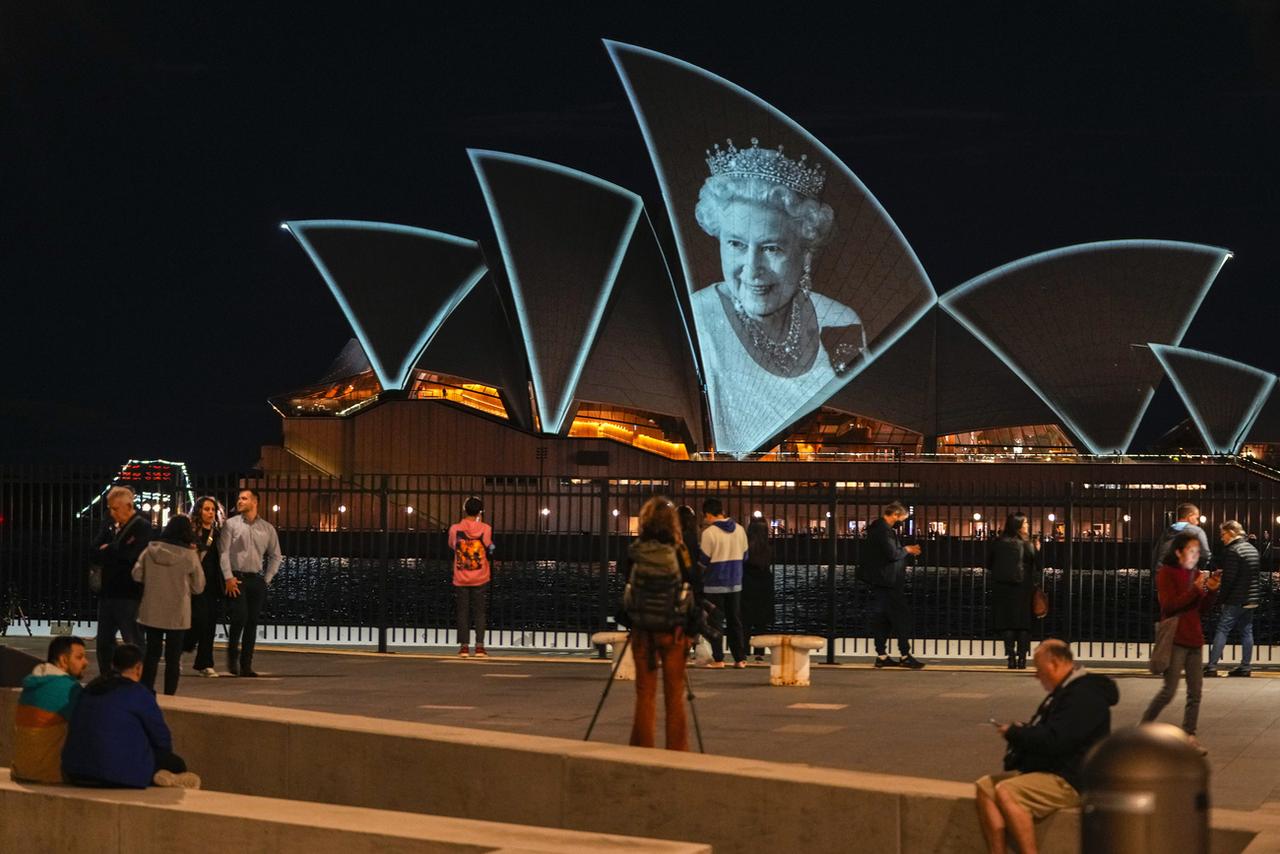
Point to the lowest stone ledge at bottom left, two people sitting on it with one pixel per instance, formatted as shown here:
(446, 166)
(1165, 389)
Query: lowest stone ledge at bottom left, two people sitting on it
(68, 820)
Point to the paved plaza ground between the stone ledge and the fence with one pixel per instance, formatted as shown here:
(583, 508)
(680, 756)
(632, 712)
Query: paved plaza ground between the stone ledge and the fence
(929, 724)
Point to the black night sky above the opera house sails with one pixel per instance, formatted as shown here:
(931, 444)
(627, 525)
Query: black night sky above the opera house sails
(152, 303)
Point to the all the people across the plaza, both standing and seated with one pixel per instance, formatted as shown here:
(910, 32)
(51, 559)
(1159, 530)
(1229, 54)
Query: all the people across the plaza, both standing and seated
(689, 577)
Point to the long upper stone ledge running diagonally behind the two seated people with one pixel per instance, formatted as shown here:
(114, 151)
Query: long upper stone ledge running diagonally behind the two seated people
(591, 787)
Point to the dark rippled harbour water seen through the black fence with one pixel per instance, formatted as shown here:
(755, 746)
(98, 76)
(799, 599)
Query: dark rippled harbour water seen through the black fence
(560, 596)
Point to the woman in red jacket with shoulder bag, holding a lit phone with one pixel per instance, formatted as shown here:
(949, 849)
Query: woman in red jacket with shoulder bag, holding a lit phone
(1186, 592)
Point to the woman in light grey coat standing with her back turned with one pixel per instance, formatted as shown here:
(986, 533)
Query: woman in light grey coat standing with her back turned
(171, 573)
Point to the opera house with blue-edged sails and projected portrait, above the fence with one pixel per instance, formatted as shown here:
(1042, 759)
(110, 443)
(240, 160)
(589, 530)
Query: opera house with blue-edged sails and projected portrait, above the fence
(776, 317)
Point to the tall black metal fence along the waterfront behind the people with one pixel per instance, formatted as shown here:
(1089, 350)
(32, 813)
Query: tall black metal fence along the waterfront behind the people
(367, 558)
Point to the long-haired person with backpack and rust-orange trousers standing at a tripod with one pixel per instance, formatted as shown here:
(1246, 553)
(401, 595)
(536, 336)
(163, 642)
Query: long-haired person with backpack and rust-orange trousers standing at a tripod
(661, 606)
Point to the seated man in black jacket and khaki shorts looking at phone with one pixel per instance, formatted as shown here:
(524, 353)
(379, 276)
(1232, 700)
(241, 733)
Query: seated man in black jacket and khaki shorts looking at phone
(1044, 757)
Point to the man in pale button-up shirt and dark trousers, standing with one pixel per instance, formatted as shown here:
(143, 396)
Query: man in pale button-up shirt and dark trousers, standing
(249, 554)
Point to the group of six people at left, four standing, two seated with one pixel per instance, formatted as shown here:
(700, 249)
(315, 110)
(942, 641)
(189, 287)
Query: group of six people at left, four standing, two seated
(162, 595)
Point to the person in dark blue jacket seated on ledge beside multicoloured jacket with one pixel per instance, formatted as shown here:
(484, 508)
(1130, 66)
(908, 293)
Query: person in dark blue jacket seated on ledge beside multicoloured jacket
(118, 737)
